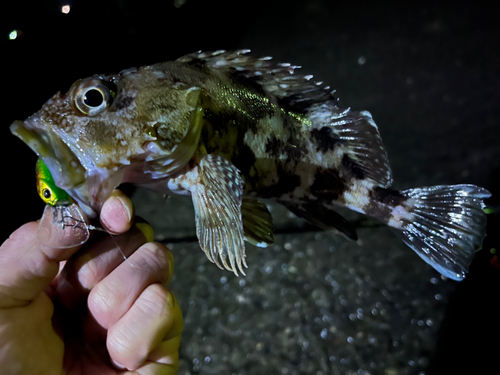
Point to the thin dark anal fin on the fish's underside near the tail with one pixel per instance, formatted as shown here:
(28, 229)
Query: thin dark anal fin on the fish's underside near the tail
(324, 218)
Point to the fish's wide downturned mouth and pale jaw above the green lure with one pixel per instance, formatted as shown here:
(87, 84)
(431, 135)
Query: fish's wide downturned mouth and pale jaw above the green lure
(63, 164)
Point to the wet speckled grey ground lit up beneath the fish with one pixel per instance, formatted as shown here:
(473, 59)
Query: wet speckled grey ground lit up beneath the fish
(313, 303)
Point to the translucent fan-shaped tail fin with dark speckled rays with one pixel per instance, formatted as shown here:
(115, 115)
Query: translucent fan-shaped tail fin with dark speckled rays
(446, 226)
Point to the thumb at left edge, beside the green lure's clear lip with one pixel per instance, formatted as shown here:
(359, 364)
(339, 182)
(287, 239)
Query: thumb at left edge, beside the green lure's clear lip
(28, 267)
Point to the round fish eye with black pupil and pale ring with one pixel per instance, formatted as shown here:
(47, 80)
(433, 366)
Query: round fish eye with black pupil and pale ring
(93, 96)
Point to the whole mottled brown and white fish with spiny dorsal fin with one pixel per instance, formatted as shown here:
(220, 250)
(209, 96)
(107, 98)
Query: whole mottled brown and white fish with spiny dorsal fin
(226, 128)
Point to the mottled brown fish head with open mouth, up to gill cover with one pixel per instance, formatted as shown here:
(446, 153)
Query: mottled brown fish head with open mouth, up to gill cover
(129, 127)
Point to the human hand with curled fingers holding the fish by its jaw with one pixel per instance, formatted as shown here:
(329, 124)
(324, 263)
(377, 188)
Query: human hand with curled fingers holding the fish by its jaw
(91, 312)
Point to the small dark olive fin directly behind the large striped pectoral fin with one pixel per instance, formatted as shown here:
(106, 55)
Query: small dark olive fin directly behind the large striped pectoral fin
(257, 223)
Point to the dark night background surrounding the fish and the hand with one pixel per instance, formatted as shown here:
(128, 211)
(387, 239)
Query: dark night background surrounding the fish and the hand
(428, 73)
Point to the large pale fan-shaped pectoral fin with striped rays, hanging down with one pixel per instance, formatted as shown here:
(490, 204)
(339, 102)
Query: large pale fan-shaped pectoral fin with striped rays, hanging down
(217, 198)
